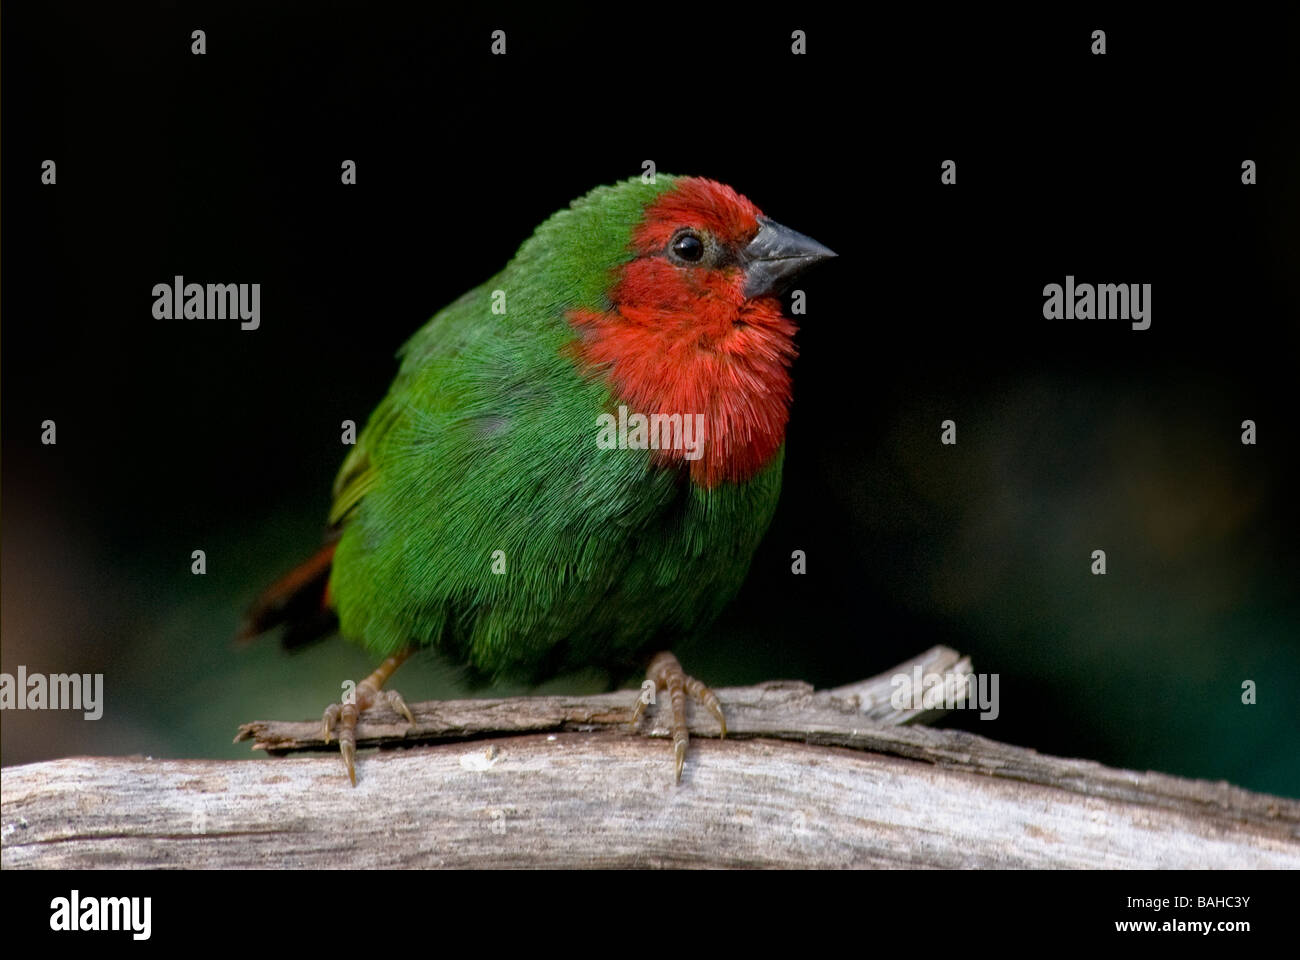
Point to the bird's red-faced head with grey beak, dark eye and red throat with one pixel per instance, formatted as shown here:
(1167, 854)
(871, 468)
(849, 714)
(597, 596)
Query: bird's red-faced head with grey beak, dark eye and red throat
(691, 319)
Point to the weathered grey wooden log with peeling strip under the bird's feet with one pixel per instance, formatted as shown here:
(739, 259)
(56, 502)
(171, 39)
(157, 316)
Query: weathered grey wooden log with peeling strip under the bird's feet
(812, 780)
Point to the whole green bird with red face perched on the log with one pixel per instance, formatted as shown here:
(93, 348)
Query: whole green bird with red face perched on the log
(577, 460)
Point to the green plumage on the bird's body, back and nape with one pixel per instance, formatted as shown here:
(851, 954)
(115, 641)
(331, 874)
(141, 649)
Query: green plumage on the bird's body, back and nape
(487, 443)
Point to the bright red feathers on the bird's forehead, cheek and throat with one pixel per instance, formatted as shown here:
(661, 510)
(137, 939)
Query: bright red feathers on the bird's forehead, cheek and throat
(686, 341)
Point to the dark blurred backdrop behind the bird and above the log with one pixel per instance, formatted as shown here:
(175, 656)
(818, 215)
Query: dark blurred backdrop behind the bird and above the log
(1073, 435)
